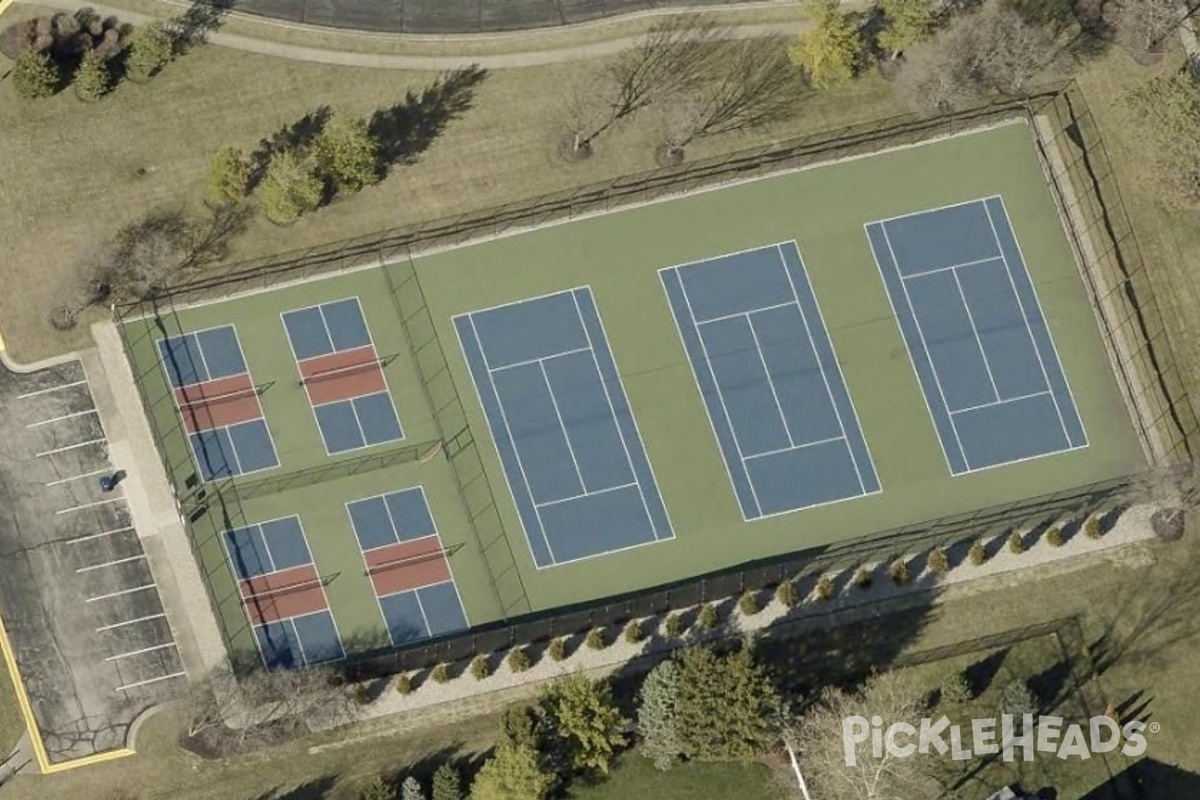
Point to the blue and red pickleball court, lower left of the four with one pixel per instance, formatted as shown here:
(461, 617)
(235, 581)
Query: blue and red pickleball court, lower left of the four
(284, 594)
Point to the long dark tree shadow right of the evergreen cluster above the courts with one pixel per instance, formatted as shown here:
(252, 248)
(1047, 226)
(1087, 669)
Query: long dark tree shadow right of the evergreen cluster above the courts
(406, 130)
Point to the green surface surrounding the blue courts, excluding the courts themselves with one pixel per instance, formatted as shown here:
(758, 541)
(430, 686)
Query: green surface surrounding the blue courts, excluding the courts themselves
(619, 256)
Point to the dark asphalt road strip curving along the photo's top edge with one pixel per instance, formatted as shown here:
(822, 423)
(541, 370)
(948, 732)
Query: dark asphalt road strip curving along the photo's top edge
(460, 16)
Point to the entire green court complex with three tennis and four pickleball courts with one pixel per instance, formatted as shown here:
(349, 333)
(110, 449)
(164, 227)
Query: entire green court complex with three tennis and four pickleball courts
(653, 394)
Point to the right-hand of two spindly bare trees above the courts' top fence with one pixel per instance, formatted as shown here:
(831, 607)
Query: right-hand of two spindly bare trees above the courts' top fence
(754, 85)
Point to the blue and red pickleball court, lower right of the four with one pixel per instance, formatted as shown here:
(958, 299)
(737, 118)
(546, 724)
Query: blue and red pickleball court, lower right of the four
(410, 570)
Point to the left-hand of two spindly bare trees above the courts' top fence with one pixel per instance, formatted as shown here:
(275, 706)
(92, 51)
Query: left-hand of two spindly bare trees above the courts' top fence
(671, 58)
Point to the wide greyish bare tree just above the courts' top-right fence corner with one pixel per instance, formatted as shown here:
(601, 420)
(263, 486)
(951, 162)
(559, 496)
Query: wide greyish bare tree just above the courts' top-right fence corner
(992, 51)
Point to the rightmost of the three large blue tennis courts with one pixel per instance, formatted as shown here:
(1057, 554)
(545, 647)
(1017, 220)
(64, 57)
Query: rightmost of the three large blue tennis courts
(976, 334)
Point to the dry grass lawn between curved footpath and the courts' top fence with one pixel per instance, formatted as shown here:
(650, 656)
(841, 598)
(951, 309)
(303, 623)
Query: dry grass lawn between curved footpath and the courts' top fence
(79, 172)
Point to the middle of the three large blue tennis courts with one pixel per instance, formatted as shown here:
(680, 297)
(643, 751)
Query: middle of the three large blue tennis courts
(770, 381)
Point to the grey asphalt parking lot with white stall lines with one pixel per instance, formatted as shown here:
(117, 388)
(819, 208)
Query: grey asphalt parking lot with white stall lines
(77, 596)
